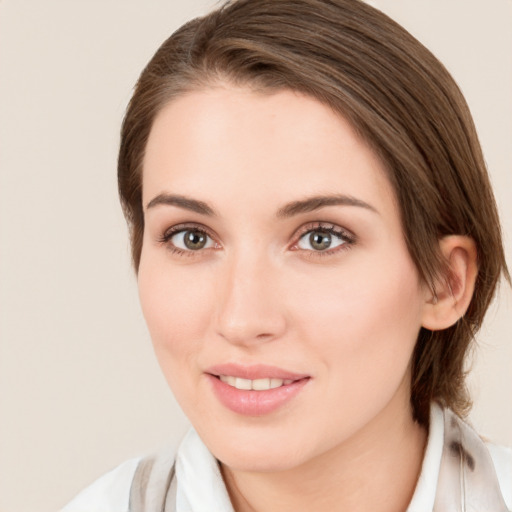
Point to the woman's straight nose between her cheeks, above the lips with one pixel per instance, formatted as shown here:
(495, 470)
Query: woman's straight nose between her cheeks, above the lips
(250, 309)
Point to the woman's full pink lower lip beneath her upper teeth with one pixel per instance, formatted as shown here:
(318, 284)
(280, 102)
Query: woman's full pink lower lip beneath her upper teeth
(255, 403)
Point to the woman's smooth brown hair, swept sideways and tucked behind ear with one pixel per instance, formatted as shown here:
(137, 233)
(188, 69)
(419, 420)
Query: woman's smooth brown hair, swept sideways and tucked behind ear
(397, 96)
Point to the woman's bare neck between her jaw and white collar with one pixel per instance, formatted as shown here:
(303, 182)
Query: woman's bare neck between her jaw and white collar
(377, 469)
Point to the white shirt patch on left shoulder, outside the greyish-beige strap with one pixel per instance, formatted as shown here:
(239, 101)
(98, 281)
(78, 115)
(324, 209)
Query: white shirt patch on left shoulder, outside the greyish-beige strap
(110, 493)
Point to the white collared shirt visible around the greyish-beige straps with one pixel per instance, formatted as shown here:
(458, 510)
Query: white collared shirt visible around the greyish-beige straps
(194, 463)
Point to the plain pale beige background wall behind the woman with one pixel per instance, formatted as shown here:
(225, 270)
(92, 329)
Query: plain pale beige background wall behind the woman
(80, 390)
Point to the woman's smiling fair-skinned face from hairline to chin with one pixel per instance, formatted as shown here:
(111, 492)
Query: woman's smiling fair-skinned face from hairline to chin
(275, 280)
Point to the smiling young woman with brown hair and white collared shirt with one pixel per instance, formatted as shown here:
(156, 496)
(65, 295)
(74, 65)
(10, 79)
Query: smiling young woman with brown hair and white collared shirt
(316, 243)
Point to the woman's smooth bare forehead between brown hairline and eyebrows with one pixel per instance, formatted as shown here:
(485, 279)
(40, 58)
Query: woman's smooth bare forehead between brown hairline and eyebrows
(229, 142)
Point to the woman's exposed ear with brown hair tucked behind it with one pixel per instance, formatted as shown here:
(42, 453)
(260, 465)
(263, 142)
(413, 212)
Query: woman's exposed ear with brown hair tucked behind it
(454, 289)
